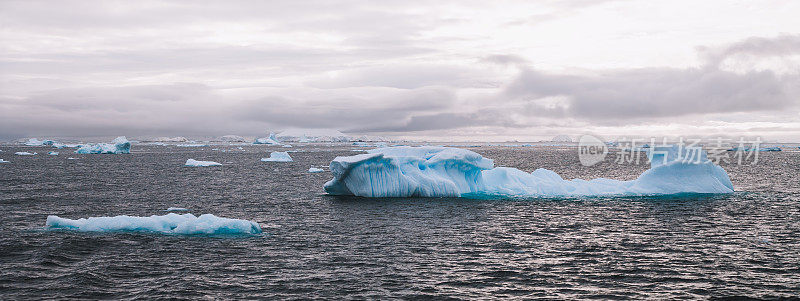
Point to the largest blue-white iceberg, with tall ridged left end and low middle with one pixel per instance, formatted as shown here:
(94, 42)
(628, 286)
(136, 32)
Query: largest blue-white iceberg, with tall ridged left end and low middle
(431, 171)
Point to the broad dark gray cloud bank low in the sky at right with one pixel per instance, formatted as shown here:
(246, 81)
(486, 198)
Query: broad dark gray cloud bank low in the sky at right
(654, 92)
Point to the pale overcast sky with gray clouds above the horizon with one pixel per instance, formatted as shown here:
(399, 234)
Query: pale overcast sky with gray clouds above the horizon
(443, 70)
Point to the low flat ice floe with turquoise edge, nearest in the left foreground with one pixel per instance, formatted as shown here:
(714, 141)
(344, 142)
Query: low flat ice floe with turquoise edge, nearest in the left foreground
(171, 223)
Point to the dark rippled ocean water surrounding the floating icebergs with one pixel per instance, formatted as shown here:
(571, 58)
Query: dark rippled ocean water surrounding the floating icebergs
(319, 246)
